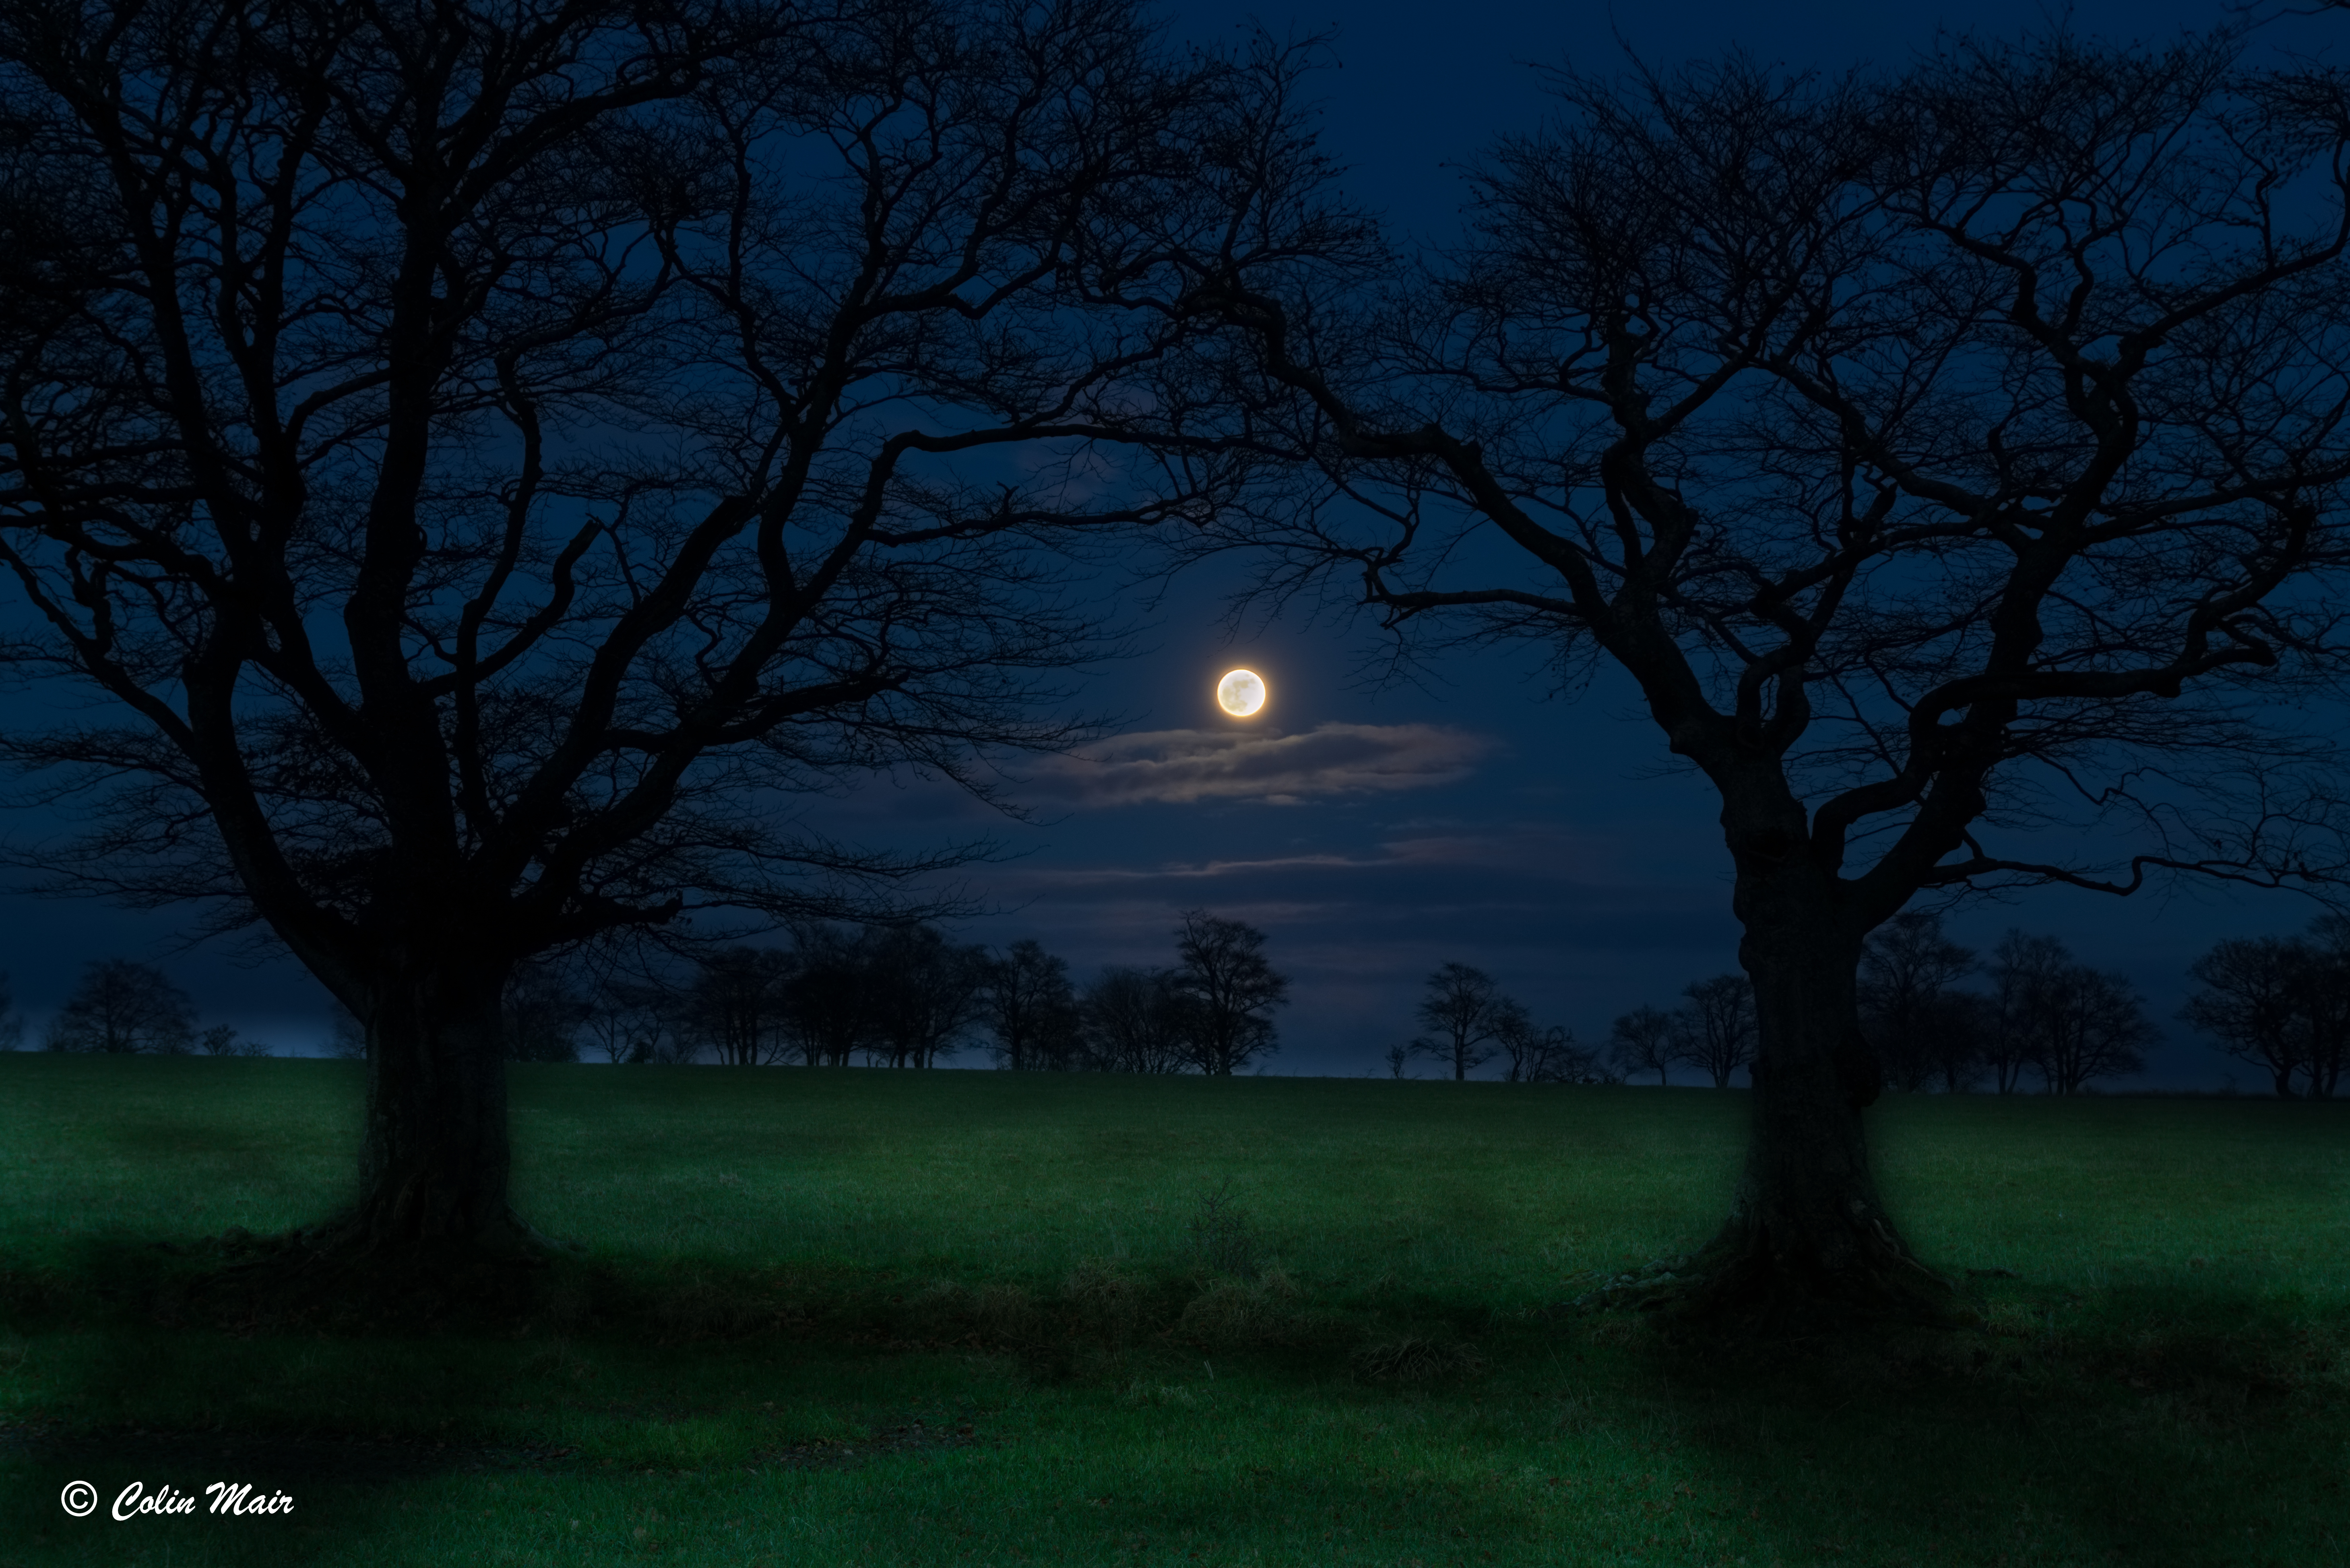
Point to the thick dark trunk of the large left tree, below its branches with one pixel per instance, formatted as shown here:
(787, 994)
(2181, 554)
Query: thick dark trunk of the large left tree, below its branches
(434, 1162)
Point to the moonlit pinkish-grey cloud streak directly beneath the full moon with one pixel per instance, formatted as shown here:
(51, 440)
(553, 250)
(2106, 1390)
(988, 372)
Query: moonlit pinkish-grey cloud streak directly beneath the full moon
(1193, 765)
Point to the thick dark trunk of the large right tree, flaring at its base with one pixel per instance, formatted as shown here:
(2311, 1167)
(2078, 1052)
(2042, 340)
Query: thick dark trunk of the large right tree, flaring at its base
(1808, 1240)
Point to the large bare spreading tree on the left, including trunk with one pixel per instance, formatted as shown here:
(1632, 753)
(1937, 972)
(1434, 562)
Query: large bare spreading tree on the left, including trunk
(495, 457)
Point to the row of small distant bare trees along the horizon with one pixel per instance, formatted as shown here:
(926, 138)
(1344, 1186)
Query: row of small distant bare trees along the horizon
(913, 998)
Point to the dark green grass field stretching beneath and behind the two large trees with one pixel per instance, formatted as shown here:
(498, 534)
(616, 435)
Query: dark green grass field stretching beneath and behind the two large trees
(864, 1318)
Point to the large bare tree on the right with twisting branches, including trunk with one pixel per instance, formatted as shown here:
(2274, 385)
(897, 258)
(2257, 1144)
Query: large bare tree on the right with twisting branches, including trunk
(1952, 460)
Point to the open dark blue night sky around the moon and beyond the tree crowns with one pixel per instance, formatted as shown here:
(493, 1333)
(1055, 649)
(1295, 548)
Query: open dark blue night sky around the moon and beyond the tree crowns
(1376, 831)
